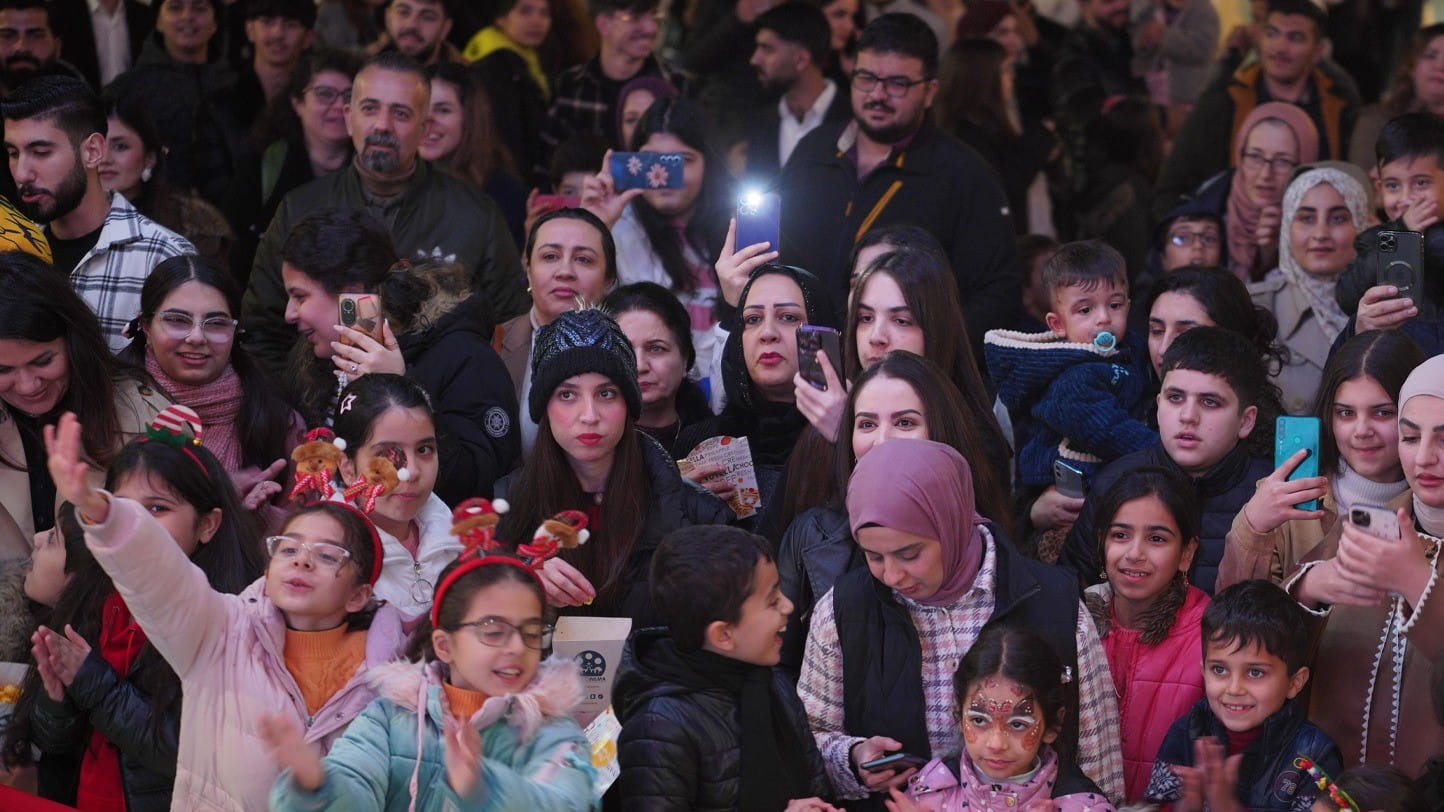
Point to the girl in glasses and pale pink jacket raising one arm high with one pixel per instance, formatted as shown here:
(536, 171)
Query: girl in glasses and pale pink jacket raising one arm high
(298, 644)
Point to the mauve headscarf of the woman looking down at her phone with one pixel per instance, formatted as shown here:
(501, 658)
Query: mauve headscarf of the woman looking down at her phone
(923, 489)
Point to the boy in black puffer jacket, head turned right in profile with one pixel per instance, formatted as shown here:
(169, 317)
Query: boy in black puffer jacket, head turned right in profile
(708, 722)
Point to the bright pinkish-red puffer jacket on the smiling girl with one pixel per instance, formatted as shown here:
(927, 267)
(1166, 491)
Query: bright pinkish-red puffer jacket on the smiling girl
(1156, 684)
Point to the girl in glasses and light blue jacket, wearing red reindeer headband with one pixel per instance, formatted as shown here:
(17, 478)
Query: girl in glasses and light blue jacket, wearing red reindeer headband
(479, 723)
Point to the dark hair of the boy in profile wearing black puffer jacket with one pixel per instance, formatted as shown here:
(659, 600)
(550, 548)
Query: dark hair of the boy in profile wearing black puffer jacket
(704, 574)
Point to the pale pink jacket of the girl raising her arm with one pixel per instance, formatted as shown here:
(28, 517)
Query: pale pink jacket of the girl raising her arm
(227, 651)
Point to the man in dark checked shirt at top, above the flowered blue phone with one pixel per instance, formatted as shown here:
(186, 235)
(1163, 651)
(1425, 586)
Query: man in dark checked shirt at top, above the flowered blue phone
(584, 99)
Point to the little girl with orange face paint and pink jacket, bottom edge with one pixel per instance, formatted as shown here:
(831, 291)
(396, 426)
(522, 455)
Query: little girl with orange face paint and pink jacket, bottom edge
(1014, 700)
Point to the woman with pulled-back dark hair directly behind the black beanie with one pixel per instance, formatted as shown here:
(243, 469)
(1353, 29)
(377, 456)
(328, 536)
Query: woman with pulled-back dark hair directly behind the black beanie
(571, 262)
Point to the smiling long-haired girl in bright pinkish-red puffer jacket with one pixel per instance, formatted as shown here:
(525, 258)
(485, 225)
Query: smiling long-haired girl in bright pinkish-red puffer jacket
(1147, 615)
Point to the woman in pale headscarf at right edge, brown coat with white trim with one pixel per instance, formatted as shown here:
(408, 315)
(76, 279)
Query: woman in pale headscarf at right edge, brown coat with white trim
(1383, 606)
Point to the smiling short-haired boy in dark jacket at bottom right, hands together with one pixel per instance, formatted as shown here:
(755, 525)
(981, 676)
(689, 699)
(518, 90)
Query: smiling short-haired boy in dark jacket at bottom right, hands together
(1247, 743)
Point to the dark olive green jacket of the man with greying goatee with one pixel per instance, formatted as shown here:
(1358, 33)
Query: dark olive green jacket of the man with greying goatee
(435, 213)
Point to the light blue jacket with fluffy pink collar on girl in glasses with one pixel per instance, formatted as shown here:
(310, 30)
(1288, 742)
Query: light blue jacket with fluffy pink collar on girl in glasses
(534, 755)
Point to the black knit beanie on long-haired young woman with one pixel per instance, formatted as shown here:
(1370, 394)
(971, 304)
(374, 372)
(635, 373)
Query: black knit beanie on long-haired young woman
(578, 343)
